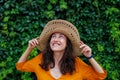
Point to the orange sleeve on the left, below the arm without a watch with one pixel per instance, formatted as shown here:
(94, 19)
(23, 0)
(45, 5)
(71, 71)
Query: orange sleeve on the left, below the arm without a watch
(30, 65)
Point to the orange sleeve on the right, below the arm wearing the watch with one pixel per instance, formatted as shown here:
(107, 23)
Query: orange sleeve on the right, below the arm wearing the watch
(88, 72)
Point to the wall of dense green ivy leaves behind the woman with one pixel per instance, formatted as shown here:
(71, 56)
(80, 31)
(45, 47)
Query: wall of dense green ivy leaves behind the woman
(98, 22)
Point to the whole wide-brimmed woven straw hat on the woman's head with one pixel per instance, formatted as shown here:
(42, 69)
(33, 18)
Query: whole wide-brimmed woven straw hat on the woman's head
(63, 27)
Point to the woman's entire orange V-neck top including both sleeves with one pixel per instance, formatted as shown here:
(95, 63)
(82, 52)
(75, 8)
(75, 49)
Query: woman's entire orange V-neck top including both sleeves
(83, 71)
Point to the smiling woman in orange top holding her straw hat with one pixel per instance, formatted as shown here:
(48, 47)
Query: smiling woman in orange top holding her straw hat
(60, 45)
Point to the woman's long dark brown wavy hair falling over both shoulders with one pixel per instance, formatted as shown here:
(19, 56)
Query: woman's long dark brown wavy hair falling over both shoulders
(67, 62)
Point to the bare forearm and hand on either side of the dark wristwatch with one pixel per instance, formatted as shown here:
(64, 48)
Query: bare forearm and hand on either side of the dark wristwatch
(86, 50)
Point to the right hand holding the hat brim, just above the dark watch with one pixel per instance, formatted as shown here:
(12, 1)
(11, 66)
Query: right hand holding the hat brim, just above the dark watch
(85, 50)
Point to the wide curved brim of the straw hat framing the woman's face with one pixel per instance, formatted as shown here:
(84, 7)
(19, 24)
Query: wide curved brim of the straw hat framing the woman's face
(47, 32)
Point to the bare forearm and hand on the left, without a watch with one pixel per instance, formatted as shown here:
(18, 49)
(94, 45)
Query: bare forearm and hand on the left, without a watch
(31, 45)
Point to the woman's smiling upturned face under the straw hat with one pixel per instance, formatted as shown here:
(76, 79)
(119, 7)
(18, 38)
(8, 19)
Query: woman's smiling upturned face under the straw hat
(58, 42)
